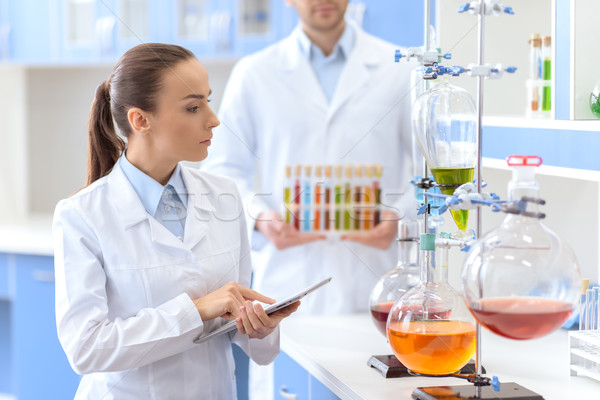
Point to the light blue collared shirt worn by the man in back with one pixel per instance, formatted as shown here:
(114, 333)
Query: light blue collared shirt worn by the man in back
(328, 68)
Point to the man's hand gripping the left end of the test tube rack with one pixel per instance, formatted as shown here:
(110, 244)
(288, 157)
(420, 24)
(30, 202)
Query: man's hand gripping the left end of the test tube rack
(282, 235)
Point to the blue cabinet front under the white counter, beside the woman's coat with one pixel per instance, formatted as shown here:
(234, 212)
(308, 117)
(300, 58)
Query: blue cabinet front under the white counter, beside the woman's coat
(291, 379)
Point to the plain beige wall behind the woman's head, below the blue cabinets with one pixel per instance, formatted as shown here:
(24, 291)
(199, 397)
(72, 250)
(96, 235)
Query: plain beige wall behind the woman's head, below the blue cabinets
(43, 131)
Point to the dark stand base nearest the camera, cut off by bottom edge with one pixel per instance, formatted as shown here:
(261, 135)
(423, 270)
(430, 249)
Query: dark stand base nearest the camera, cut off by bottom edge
(508, 391)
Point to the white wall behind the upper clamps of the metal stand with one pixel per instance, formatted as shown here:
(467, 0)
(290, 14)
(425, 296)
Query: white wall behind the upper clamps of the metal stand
(506, 38)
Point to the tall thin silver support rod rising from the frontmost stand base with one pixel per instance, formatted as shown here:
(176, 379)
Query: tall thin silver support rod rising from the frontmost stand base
(480, 58)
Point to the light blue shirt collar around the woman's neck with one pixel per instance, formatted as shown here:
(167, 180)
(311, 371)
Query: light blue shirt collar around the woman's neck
(150, 191)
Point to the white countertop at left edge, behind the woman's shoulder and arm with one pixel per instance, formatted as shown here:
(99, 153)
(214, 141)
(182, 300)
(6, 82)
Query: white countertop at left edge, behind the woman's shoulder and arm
(32, 235)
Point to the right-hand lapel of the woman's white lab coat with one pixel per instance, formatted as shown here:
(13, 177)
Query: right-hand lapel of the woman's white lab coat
(199, 211)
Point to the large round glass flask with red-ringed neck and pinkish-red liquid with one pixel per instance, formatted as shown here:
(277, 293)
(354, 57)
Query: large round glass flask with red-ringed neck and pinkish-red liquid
(521, 280)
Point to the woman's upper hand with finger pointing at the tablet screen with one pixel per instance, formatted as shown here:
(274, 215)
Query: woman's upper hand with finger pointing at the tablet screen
(226, 301)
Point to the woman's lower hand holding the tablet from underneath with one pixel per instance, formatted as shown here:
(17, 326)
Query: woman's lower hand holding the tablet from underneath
(255, 322)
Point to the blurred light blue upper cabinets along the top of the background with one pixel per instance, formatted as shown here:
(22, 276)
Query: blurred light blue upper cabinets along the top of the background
(101, 30)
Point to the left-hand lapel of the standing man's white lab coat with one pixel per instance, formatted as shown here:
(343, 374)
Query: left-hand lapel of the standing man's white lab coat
(298, 74)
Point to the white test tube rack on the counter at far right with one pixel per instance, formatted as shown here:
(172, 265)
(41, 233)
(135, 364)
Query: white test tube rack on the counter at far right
(584, 354)
